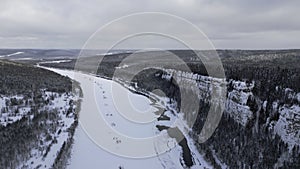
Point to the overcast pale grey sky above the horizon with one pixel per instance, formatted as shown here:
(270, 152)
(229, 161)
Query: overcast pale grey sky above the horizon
(238, 24)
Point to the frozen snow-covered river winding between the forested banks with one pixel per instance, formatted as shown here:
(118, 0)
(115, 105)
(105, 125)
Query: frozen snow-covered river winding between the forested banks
(104, 101)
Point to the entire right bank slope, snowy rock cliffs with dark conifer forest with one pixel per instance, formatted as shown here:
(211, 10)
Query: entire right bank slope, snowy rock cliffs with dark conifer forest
(254, 131)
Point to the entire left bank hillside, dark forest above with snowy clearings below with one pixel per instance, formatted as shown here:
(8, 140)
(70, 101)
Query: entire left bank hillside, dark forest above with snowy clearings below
(38, 116)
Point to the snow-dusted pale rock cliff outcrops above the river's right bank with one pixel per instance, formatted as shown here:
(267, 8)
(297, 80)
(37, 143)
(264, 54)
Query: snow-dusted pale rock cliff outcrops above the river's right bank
(244, 106)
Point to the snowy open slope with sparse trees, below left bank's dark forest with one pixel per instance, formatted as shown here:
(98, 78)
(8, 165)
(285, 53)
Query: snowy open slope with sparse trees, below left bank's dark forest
(50, 142)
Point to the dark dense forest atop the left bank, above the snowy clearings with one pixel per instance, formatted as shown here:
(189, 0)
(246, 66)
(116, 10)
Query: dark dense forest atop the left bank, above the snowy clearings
(16, 78)
